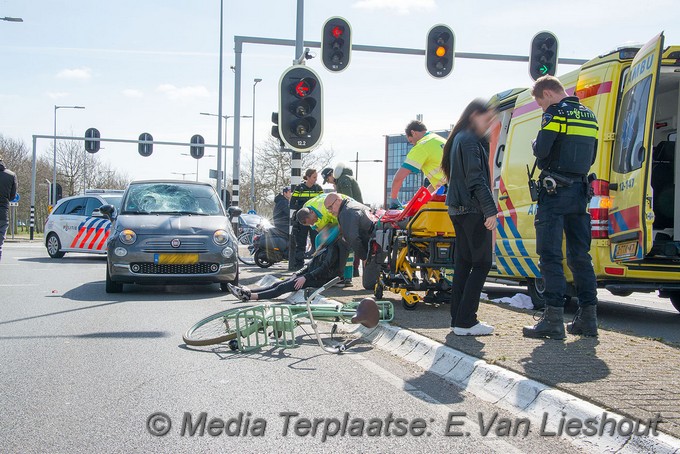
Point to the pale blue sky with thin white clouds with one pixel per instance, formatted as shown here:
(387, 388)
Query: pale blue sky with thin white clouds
(152, 66)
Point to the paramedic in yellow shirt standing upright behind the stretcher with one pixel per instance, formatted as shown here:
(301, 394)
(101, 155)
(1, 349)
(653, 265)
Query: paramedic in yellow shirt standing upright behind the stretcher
(425, 156)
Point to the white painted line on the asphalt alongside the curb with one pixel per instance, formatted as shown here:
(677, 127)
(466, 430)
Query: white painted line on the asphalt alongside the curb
(490, 440)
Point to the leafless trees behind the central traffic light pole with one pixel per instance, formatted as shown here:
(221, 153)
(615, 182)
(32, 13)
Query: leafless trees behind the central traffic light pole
(272, 172)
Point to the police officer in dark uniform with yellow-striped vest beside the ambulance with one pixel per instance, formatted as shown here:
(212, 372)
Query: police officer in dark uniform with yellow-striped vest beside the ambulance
(565, 149)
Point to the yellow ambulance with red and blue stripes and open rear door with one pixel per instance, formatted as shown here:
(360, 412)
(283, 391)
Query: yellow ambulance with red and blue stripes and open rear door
(635, 94)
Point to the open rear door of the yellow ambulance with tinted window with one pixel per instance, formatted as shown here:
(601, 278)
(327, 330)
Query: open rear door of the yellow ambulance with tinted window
(631, 215)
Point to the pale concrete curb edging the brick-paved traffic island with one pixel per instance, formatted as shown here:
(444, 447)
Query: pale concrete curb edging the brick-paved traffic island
(516, 393)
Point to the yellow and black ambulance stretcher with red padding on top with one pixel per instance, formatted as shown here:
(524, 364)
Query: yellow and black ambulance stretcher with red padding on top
(412, 251)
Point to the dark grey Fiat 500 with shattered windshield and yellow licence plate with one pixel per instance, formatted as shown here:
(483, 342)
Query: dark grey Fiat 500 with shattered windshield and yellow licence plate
(170, 232)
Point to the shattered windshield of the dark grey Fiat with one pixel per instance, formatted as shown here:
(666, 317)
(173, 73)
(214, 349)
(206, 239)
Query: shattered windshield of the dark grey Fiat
(171, 198)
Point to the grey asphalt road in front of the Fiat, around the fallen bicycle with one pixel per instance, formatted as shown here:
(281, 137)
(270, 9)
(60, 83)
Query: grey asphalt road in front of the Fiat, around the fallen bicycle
(85, 371)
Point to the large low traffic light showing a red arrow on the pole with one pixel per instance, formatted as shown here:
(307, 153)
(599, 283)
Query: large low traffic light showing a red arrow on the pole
(300, 108)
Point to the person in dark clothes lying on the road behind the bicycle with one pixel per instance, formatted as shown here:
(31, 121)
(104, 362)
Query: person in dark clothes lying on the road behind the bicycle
(321, 269)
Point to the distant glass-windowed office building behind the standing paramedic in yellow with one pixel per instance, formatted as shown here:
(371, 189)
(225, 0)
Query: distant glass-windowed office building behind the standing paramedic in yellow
(396, 149)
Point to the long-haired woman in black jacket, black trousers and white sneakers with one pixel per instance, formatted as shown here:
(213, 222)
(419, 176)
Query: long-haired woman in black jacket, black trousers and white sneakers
(473, 212)
